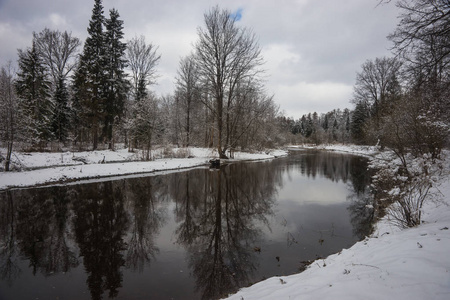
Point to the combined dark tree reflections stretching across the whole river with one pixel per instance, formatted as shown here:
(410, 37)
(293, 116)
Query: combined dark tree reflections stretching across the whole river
(219, 219)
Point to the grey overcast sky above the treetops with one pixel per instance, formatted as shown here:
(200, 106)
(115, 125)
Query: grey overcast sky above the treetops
(312, 48)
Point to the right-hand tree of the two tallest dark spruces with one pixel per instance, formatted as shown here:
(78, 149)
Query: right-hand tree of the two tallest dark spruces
(116, 84)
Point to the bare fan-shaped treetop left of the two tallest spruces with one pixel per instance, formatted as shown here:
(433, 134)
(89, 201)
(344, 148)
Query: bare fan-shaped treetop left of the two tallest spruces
(58, 51)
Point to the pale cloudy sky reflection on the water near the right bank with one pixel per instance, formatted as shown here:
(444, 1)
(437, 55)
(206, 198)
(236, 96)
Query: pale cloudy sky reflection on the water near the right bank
(311, 220)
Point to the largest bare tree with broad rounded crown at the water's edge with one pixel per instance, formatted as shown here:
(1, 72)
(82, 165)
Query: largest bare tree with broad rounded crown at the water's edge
(226, 55)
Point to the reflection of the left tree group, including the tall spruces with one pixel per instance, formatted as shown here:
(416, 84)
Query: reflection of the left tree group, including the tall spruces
(40, 225)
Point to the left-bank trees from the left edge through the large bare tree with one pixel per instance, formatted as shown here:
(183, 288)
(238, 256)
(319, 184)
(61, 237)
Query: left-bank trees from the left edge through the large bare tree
(63, 98)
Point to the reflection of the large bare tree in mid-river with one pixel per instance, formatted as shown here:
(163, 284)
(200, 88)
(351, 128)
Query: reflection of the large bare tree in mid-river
(218, 214)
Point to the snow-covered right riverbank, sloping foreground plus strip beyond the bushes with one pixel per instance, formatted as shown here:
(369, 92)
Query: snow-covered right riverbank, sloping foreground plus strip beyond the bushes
(390, 264)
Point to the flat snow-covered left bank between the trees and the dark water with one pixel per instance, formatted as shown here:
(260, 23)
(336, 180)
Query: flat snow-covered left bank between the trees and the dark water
(49, 168)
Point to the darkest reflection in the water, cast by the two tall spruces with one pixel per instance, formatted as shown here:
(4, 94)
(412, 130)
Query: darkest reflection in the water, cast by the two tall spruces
(100, 224)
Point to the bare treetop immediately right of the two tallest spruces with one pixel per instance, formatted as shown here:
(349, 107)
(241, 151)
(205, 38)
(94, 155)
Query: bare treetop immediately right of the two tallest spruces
(142, 60)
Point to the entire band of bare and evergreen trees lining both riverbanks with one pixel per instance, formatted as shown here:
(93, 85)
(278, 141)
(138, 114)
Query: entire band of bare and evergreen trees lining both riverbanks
(69, 95)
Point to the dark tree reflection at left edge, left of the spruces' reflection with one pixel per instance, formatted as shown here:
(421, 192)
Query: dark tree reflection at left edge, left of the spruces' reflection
(37, 226)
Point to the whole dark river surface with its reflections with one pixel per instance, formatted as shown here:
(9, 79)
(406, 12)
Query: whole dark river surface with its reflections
(197, 234)
